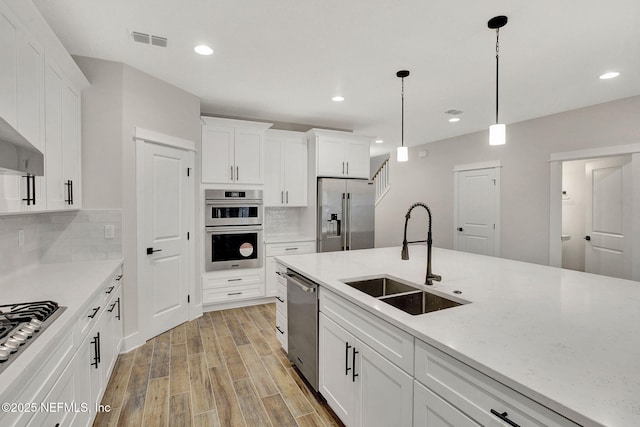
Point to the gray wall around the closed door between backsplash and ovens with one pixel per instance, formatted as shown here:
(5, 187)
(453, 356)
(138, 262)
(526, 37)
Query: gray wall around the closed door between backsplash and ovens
(146, 102)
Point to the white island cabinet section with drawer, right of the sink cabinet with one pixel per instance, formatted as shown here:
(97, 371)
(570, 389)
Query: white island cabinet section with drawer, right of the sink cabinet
(449, 392)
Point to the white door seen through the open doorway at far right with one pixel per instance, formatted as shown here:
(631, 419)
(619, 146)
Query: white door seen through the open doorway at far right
(608, 217)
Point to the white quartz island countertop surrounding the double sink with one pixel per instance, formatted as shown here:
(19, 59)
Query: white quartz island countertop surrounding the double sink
(568, 340)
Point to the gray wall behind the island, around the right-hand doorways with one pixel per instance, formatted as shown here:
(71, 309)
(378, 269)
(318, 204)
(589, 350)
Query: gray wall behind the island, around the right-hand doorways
(525, 175)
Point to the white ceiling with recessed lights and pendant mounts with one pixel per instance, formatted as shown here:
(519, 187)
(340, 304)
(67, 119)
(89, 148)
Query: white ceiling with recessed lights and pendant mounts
(283, 60)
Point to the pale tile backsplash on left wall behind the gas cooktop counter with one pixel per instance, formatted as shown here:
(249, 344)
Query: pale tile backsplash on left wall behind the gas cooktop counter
(52, 237)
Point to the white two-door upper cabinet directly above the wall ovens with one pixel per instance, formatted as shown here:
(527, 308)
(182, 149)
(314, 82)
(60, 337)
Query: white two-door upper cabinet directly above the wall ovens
(232, 151)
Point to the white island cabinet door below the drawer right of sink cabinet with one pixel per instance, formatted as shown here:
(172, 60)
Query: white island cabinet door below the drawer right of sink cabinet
(429, 410)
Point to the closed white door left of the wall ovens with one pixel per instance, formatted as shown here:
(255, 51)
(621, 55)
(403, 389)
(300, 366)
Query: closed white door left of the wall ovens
(164, 264)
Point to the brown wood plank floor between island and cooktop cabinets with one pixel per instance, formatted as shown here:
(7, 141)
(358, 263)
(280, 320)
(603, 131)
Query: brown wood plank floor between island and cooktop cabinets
(225, 368)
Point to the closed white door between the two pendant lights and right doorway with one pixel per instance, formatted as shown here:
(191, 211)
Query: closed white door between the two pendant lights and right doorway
(476, 211)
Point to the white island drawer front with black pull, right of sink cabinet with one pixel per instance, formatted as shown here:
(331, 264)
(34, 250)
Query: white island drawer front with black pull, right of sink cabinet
(476, 394)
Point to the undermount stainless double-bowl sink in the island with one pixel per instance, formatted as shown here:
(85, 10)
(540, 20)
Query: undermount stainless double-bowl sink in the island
(403, 296)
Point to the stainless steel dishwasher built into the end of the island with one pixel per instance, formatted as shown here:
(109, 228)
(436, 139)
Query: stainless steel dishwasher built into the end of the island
(302, 315)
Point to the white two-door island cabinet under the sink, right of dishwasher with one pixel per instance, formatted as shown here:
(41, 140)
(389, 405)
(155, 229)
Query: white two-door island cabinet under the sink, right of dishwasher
(365, 365)
